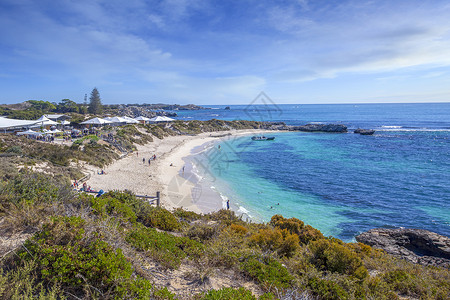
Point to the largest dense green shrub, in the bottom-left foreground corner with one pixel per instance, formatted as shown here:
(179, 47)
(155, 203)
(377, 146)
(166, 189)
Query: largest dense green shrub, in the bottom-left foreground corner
(65, 256)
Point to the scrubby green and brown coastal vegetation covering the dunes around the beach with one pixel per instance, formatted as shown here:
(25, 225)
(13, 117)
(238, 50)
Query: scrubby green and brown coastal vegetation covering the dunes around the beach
(68, 245)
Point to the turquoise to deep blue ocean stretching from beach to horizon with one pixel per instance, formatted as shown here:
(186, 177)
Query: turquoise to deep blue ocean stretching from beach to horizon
(341, 184)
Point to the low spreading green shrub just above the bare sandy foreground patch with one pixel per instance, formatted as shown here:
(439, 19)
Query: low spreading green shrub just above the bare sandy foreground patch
(168, 249)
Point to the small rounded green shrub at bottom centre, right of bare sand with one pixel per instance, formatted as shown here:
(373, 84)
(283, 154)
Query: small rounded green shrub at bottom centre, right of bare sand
(267, 271)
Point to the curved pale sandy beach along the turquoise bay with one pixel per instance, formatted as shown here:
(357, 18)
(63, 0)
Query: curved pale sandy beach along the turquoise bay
(165, 174)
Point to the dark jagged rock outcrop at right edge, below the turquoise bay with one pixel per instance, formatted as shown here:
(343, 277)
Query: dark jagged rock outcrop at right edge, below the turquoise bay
(416, 245)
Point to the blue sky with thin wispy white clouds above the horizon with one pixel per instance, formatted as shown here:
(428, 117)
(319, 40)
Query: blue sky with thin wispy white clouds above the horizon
(225, 52)
